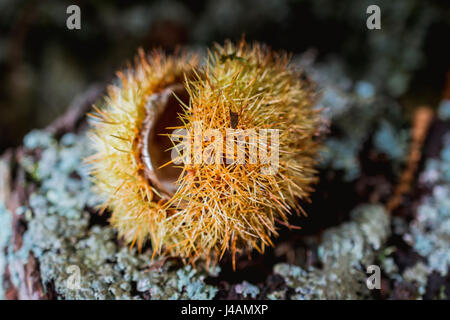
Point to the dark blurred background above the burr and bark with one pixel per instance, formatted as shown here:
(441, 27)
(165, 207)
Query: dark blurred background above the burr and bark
(44, 66)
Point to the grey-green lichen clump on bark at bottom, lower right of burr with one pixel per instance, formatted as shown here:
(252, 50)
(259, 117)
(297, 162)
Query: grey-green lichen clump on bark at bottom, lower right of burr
(344, 252)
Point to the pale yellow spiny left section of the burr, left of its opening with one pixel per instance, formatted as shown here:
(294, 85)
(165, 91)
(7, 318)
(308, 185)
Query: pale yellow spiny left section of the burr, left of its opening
(116, 167)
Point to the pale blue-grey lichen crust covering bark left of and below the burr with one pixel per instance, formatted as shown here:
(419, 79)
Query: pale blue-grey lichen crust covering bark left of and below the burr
(61, 234)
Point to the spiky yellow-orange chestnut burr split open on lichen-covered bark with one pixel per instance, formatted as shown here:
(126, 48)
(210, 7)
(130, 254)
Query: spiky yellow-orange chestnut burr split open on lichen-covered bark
(198, 209)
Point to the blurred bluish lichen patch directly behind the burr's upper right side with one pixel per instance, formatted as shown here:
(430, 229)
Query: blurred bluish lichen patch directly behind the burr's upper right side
(354, 109)
